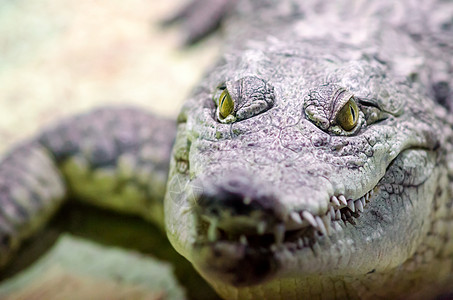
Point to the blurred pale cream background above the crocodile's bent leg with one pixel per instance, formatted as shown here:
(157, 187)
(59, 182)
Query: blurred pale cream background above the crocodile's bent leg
(62, 57)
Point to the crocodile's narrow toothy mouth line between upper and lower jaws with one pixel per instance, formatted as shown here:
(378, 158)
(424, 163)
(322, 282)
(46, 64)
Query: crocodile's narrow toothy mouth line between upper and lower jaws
(301, 230)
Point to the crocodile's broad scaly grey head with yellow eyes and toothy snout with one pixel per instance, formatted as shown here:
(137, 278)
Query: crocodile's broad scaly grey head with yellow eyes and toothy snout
(293, 166)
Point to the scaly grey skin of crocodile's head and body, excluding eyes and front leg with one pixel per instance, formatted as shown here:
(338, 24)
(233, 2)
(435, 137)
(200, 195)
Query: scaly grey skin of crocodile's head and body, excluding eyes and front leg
(256, 203)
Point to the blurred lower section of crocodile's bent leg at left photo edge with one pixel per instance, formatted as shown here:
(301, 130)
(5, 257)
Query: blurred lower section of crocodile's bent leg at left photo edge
(31, 189)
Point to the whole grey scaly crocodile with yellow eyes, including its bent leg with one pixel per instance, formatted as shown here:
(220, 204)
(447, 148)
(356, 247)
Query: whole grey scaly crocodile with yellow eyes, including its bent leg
(315, 158)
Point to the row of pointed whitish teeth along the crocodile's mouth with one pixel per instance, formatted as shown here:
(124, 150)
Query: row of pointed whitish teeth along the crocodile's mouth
(320, 223)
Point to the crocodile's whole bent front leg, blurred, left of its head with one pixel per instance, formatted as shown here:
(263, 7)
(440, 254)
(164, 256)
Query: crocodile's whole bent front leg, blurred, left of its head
(115, 158)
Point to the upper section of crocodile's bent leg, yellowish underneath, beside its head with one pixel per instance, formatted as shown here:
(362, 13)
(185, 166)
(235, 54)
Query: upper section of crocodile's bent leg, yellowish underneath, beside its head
(116, 158)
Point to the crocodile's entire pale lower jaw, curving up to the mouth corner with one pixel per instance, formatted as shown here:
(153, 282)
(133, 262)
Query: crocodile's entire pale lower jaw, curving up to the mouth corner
(347, 250)
